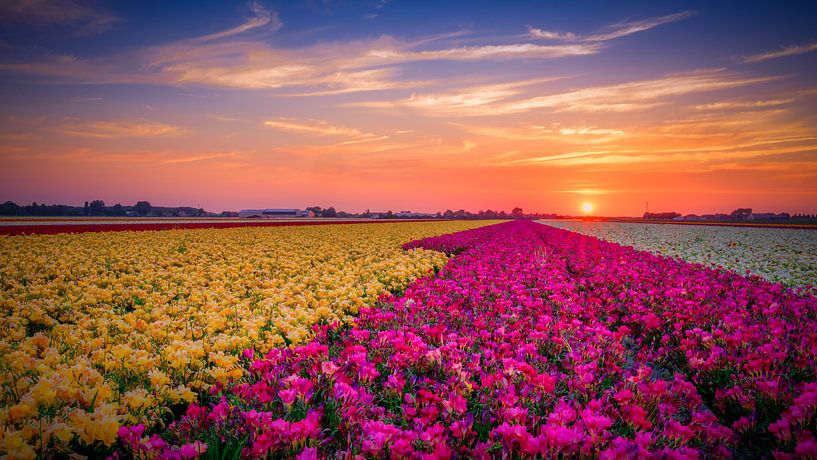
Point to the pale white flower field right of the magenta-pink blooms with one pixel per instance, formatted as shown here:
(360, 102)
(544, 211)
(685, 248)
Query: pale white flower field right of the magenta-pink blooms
(787, 256)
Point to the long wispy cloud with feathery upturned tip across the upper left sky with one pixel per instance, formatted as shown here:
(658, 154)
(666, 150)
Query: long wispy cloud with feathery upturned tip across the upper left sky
(230, 59)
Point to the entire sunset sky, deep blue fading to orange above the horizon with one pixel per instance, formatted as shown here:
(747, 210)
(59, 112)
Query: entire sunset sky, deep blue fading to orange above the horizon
(692, 107)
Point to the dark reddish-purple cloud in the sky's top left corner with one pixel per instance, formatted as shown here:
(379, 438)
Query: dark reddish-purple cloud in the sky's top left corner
(45, 13)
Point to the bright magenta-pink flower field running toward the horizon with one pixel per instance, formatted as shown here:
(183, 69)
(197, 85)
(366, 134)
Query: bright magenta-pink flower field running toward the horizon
(531, 341)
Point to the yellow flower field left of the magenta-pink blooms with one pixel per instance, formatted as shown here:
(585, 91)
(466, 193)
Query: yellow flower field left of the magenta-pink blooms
(103, 329)
